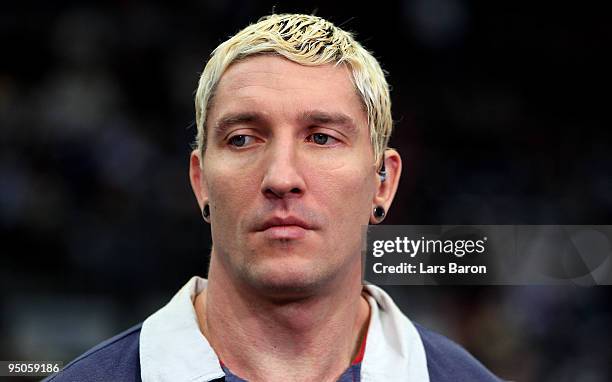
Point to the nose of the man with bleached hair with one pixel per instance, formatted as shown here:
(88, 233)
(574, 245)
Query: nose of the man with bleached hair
(283, 177)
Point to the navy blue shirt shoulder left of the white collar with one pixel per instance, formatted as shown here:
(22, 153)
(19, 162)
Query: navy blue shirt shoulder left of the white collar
(116, 359)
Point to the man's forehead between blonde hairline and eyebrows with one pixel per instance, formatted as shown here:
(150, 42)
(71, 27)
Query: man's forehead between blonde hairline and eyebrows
(324, 92)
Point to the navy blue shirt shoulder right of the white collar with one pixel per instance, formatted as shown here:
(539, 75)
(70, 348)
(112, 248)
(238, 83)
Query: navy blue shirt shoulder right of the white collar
(448, 361)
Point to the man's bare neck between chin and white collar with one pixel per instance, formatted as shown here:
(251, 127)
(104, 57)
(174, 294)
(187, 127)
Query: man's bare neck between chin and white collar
(307, 339)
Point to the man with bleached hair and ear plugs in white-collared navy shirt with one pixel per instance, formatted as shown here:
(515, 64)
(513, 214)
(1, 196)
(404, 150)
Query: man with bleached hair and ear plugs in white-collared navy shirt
(291, 162)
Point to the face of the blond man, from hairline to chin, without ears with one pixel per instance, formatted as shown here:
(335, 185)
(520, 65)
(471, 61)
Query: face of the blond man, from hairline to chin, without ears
(288, 172)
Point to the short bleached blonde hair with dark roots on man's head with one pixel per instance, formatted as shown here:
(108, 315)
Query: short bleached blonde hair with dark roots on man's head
(306, 40)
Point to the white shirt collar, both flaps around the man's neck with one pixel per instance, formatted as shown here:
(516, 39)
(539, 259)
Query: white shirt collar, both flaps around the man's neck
(172, 348)
